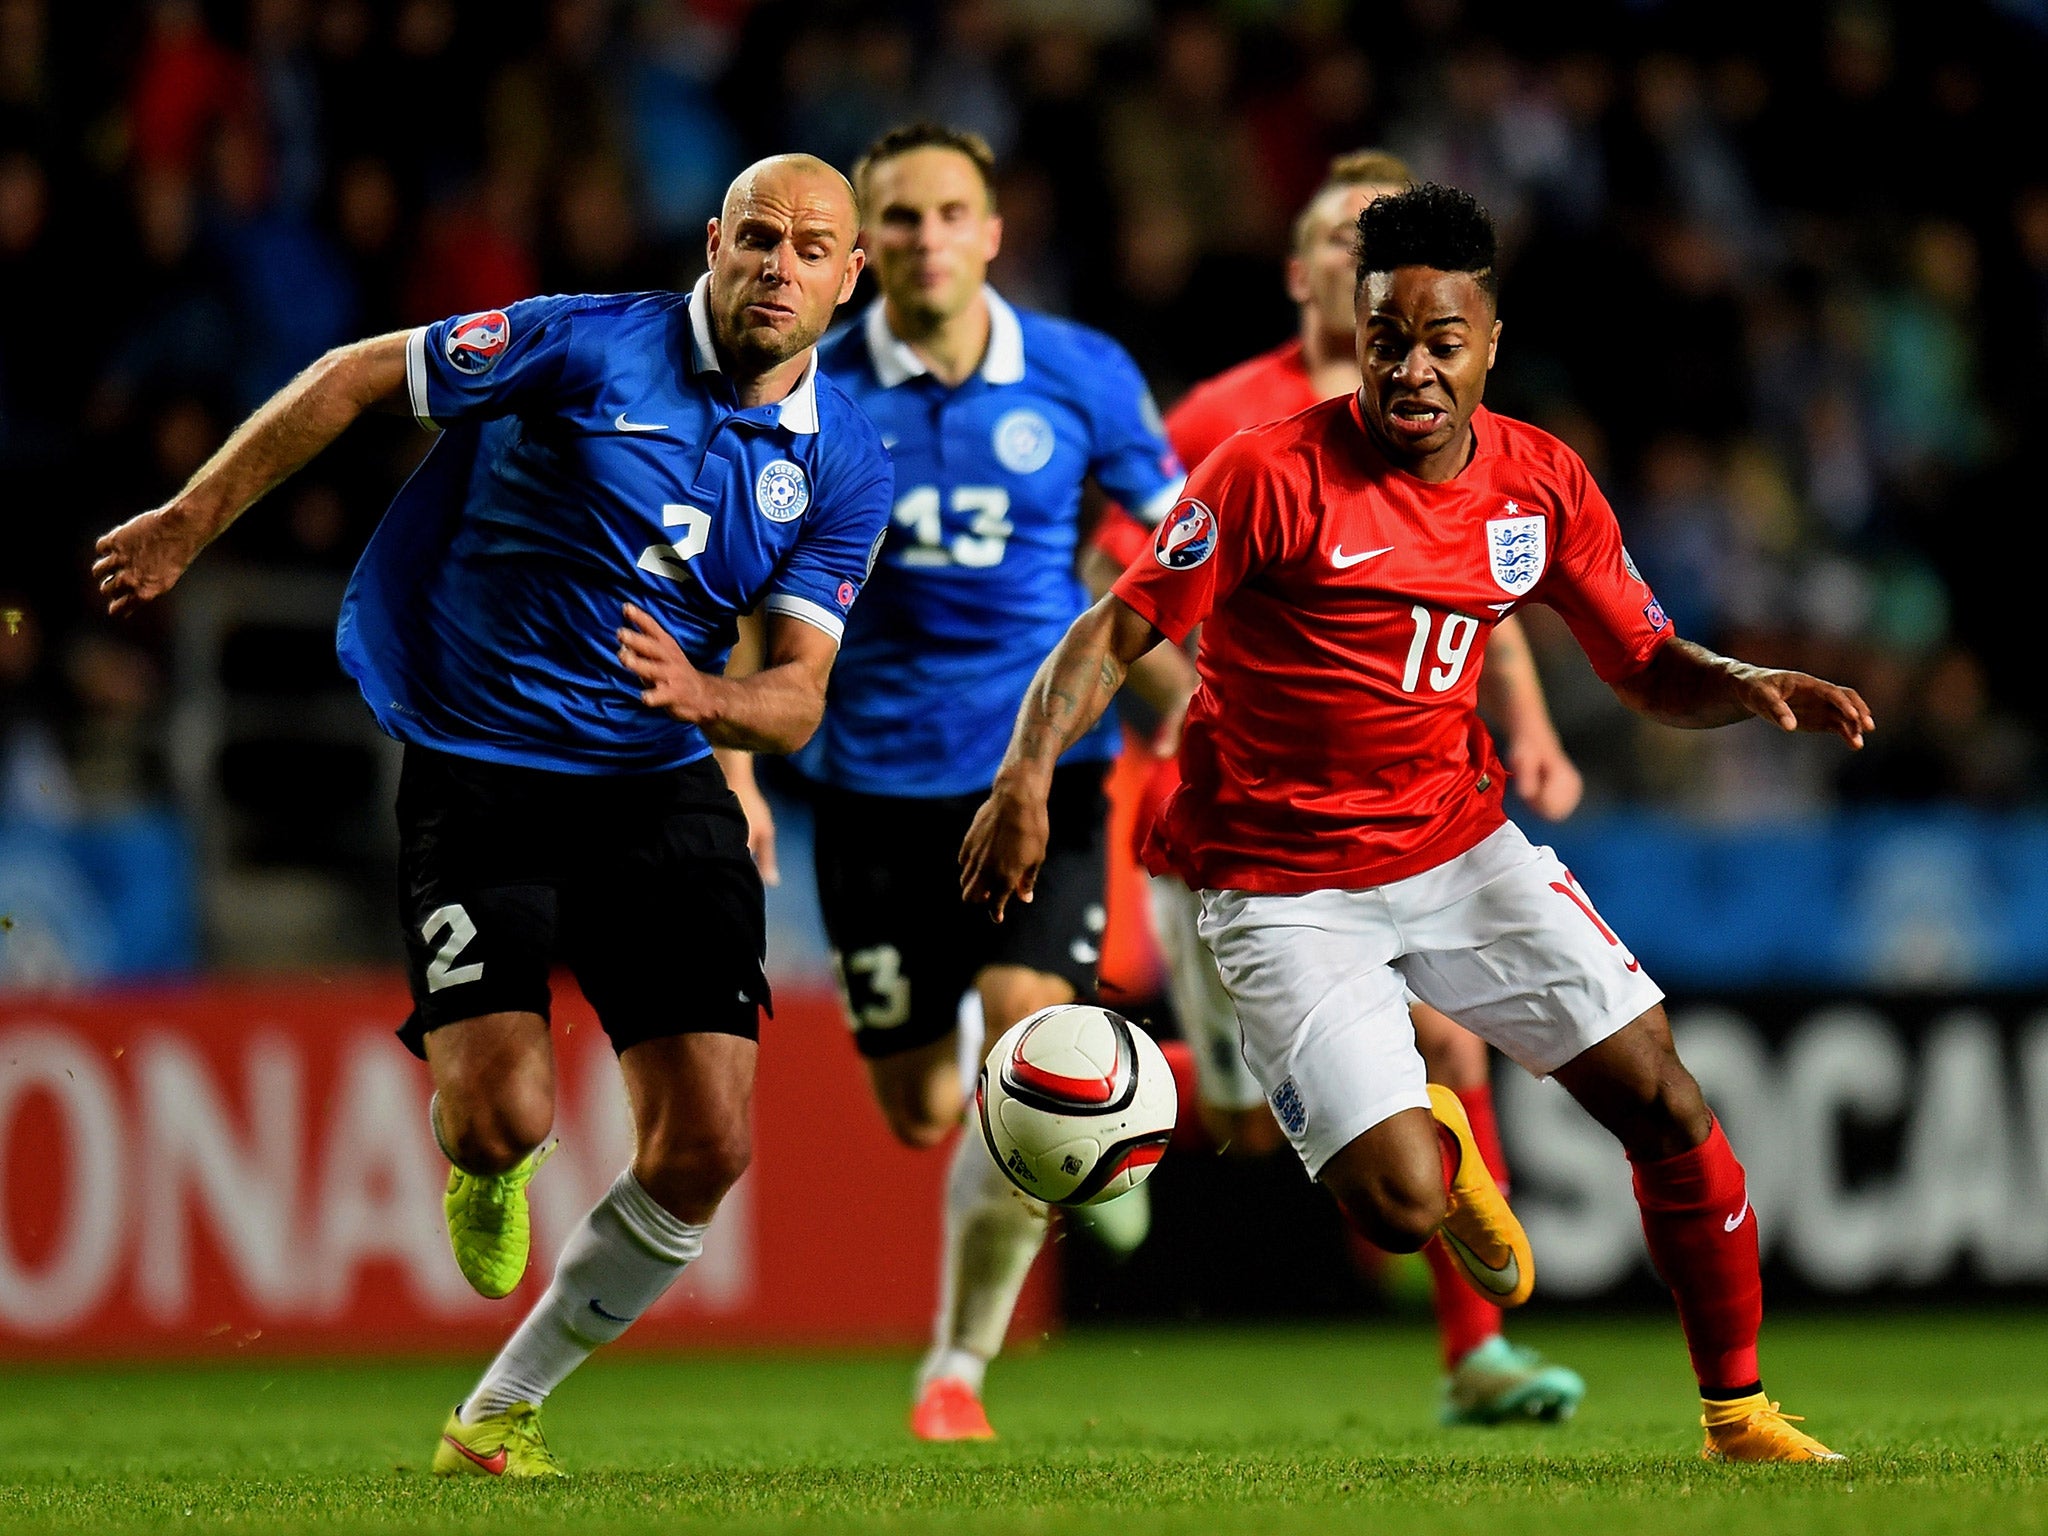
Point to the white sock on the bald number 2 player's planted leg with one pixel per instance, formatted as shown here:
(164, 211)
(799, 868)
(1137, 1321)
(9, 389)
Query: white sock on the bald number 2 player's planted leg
(613, 1269)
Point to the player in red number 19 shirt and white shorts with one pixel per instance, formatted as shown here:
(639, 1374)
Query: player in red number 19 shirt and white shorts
(1340, 812)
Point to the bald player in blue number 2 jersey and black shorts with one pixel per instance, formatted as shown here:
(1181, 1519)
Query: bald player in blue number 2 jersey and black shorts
(542, 620)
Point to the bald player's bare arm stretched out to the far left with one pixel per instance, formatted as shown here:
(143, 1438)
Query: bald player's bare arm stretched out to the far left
(146, 556)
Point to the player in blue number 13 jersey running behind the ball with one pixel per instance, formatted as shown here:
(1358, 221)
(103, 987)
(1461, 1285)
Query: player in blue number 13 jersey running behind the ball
(994, 419)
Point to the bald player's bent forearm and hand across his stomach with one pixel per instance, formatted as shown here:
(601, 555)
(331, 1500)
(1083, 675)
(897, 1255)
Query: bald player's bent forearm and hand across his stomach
(775, 710)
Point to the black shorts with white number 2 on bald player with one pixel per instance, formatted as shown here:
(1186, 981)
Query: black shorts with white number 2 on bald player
(640, 884)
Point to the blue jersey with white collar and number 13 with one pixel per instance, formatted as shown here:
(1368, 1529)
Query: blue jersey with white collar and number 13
(976, 583)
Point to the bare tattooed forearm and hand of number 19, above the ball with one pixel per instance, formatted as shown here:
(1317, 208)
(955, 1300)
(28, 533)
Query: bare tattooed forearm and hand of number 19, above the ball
(1074, 685)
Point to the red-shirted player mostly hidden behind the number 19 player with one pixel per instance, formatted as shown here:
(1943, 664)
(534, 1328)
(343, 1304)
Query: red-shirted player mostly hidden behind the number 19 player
(1486, 1377)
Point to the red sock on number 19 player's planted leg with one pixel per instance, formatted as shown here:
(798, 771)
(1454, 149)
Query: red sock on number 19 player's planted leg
(1705, 1244)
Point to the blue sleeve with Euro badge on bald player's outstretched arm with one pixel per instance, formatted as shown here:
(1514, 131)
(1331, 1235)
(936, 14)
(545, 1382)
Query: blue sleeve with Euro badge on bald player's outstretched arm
(488, 364)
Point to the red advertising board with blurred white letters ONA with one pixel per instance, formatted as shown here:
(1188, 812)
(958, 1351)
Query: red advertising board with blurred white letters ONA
(249, 1168)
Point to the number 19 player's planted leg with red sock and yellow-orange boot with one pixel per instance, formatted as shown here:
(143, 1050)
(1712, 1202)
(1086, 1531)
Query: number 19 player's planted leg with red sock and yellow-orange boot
(1701, 1232)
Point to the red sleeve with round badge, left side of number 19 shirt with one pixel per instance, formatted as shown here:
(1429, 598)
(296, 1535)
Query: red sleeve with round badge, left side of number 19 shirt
(1218, 536)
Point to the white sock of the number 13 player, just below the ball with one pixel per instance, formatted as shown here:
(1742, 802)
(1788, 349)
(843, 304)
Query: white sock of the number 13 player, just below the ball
(992, 1236)
